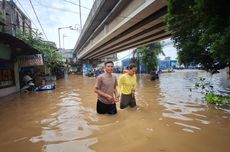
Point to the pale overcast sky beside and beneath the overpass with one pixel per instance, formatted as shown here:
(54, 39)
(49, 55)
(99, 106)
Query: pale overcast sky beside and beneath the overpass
(54, 14)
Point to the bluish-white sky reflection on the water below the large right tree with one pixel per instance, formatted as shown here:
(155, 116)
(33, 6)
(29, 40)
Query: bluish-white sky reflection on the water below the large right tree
(180, 101)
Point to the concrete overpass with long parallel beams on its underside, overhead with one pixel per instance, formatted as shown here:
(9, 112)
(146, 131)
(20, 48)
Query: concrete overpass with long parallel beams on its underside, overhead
(118, 25)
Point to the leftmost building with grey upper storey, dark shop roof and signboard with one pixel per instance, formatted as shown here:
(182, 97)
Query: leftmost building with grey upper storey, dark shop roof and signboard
(14, 53)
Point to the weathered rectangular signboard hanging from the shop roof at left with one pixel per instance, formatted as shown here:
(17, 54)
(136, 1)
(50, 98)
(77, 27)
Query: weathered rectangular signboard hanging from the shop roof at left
(30, 60)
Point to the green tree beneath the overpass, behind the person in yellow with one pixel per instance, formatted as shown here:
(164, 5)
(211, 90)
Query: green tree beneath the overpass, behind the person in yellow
(149, 55)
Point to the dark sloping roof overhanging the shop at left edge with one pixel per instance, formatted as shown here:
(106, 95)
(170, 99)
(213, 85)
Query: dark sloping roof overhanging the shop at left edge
(19, 46)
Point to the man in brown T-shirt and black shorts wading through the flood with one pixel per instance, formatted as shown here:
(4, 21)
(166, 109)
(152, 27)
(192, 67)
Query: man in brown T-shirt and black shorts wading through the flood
(106, 89)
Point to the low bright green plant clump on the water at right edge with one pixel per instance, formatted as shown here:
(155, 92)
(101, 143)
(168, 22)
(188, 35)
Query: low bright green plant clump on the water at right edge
(217, 99)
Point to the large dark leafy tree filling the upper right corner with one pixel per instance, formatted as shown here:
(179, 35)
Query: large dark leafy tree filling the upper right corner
(201, 32)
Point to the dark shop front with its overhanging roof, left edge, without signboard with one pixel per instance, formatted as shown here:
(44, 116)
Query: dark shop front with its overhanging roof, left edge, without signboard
(10, 49)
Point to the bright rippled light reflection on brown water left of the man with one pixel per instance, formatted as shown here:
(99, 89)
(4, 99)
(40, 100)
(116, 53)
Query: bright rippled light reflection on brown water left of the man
(68, 125)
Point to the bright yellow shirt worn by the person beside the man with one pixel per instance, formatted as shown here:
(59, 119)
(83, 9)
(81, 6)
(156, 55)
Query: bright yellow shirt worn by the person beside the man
(126, 84)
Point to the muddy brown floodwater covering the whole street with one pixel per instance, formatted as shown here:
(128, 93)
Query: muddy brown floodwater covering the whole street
(169, 118)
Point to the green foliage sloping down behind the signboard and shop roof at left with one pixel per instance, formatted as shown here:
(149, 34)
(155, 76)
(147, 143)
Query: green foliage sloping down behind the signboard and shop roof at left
(52, 58)
